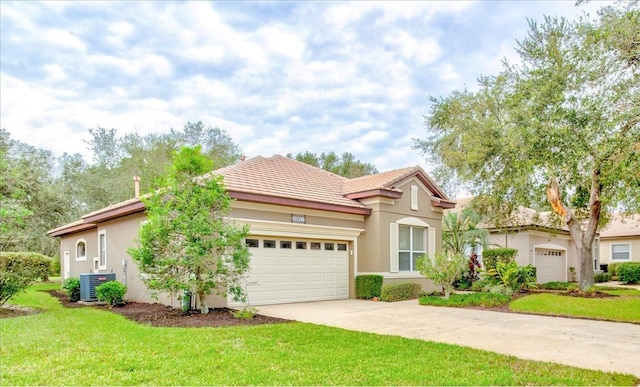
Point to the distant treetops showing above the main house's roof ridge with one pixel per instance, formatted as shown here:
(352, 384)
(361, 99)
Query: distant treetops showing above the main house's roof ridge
(345, 165)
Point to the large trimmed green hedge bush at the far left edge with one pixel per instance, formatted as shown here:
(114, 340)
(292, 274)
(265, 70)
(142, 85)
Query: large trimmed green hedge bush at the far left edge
(19, 270)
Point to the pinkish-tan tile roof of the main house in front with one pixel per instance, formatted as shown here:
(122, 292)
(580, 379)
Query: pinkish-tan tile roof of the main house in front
(294, 182)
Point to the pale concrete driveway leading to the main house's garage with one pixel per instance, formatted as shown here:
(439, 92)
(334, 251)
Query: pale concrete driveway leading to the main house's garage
(591, 344)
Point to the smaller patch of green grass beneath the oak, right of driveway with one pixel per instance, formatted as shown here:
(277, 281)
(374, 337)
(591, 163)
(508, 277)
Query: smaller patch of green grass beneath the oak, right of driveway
(624, 308)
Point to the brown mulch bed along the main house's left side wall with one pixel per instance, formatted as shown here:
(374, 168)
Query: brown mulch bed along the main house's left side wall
(164, 316)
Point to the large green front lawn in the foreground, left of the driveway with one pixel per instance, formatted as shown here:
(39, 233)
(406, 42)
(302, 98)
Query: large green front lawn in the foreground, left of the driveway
(86, 346)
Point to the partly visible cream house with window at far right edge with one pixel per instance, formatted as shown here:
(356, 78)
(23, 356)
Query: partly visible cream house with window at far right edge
(620, 239)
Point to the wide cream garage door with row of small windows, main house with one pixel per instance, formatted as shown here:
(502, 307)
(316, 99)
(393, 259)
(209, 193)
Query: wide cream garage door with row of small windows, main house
(296, 270)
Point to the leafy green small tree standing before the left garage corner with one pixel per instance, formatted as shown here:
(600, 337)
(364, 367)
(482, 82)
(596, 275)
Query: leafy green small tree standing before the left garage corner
(187, 244)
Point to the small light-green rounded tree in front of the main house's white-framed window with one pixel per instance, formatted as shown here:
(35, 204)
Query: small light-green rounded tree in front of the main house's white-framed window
(443, 269)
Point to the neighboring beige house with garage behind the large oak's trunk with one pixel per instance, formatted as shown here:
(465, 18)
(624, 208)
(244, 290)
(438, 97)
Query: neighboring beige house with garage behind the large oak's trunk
(542, 242)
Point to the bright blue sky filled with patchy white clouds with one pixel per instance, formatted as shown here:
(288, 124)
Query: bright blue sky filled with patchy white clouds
(279, 77)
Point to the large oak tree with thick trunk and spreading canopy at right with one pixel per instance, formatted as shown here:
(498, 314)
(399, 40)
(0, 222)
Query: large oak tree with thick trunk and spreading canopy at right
(560, 129)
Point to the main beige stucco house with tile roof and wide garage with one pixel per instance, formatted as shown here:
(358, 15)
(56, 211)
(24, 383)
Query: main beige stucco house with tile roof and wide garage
(311, 231)
